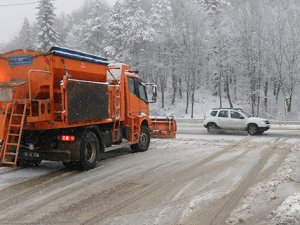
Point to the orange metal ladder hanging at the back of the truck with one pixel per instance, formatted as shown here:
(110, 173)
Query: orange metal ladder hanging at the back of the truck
(12, 142)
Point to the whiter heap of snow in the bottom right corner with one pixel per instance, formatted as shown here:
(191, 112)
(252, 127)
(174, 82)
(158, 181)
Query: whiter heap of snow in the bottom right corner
(288, 213)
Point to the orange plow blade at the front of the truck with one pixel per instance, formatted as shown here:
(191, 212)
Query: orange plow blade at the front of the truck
(163, 127)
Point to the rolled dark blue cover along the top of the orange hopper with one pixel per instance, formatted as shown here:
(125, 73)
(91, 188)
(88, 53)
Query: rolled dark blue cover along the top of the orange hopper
(78, 55)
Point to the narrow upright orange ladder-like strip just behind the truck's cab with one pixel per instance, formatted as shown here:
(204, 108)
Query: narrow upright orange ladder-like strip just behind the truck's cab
(116, 114)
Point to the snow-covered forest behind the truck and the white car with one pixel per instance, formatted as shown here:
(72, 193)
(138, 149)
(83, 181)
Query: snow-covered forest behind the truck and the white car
(243, 53)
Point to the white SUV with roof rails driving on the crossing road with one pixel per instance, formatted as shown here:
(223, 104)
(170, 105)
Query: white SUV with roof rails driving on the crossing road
(234, 119)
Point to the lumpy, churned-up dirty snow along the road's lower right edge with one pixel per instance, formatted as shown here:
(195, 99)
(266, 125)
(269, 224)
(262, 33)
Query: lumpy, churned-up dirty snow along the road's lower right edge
(267, 194)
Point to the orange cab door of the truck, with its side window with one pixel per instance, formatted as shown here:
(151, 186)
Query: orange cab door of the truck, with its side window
(137, 100)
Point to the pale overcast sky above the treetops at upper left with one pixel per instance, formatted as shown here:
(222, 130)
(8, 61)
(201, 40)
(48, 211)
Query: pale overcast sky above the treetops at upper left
(12, 17)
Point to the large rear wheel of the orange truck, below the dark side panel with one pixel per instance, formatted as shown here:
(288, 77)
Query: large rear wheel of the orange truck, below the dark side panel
(89, 151)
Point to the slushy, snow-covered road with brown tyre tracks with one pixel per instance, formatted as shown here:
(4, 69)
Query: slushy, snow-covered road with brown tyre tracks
(195, 179)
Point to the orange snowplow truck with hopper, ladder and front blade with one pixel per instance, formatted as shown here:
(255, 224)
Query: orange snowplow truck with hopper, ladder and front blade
(69, 106)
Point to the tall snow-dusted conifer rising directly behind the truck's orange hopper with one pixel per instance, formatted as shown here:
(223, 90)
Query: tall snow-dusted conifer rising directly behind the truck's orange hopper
(47, 35)
